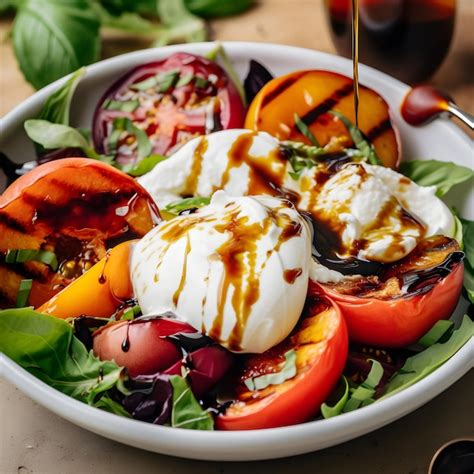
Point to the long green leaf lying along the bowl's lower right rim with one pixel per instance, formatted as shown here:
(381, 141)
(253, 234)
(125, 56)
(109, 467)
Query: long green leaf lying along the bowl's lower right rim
(425, 362)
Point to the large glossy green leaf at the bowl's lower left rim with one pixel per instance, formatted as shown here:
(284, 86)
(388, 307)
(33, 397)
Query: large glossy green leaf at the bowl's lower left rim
(45, 346)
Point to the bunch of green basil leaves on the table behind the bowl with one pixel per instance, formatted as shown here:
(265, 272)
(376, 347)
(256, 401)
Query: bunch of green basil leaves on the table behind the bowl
(52, 38)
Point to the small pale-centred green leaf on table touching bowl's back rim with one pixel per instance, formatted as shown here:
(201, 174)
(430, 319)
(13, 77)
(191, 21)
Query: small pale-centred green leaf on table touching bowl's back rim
(179, 23)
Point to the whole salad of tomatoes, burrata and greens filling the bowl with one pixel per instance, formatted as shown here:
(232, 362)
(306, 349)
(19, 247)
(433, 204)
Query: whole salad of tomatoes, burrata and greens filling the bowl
(231, 256)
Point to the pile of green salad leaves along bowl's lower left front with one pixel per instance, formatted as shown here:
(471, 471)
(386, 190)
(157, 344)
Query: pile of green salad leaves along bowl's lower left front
(47, 348)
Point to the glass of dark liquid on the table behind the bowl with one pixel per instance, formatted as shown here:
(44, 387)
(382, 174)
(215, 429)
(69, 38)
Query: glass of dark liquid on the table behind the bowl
(405, 38)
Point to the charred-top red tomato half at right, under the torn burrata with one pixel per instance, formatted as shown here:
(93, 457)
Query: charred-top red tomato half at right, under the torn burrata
(401, 305)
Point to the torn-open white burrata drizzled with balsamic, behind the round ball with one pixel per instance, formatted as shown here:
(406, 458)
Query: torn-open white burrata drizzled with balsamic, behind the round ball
(364, 203)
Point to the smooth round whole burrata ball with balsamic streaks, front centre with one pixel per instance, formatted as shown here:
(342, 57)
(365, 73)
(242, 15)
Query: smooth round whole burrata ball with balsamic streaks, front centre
(237, 270)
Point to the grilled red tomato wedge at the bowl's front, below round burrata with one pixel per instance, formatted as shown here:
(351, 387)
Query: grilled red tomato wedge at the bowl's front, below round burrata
(321, 344)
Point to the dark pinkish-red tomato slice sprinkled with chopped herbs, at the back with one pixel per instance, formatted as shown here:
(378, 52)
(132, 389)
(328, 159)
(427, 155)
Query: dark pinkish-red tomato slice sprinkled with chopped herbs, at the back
(172, 101)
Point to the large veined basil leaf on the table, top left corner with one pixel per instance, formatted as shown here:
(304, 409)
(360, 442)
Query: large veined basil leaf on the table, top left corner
(53, 38)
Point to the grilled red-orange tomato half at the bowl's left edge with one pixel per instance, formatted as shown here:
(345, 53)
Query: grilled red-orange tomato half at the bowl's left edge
(75, 207)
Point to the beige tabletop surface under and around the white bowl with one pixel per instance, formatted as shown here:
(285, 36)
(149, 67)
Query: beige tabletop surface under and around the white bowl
(35, 440)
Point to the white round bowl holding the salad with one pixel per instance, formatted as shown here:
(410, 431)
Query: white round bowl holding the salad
(440, 140)
